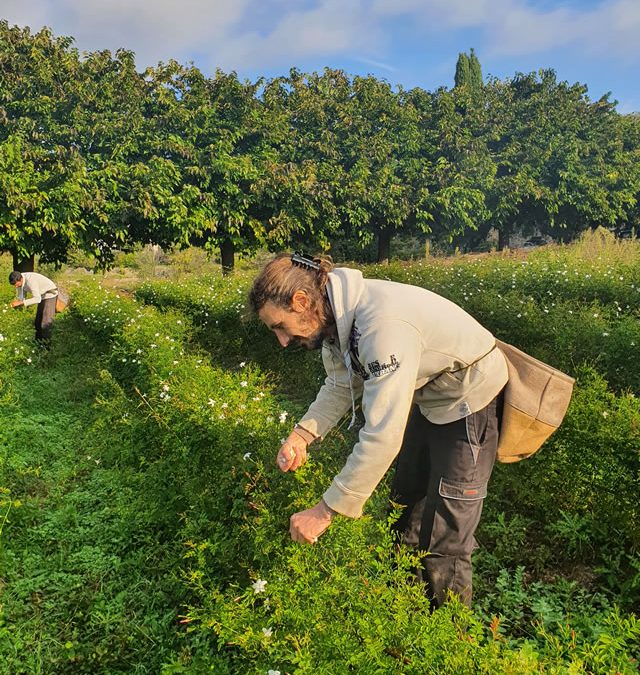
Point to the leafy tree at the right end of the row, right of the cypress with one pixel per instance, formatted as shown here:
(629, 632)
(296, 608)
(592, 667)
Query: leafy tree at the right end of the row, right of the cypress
(559, 160)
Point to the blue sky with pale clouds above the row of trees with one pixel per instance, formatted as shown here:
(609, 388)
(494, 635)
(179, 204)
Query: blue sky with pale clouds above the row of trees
(407, 42)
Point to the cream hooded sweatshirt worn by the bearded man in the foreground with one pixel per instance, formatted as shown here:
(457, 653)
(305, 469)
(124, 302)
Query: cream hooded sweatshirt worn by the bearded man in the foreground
(397, 345)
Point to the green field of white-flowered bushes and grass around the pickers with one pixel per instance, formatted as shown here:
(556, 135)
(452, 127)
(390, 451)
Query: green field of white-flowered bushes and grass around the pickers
(140, 505)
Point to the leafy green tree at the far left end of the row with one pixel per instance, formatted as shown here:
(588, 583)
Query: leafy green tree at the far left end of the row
(43, 190)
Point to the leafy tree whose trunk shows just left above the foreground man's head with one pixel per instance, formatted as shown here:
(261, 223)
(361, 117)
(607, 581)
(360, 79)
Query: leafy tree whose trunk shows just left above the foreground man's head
(212, 130)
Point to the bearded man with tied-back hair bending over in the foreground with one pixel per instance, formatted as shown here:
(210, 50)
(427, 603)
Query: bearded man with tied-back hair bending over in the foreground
(431, 380)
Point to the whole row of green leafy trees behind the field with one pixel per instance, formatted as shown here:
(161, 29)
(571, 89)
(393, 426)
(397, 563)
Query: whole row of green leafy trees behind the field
(96, 155)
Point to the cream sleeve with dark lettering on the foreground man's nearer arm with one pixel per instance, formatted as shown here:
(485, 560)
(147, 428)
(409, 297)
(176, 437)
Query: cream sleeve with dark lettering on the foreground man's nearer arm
(391, 357)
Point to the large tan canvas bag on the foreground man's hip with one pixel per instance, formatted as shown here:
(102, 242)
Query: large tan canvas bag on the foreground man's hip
(536, 399)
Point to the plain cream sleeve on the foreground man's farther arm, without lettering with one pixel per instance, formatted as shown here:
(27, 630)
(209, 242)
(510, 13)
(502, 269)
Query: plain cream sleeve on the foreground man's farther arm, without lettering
(333, 399)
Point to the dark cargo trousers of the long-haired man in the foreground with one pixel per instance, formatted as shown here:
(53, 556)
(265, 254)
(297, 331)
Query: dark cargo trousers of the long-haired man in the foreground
(441, 477)
